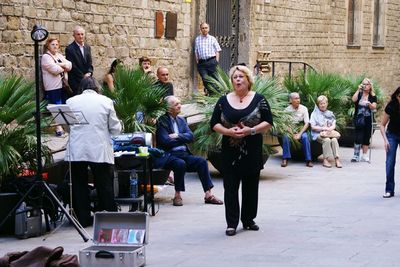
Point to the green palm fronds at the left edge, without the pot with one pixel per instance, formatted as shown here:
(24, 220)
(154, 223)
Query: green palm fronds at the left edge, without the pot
(17, 127)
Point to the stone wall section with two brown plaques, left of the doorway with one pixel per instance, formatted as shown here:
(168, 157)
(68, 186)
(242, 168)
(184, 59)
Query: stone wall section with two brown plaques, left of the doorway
(115, 29)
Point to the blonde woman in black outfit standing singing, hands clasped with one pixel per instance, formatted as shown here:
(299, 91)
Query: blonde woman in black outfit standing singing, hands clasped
(241, 117)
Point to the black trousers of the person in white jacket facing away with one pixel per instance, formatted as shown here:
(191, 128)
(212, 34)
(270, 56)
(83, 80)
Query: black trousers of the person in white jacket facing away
(103, 174)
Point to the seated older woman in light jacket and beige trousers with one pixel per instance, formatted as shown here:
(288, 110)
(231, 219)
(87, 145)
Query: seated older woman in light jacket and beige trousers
(323, 122)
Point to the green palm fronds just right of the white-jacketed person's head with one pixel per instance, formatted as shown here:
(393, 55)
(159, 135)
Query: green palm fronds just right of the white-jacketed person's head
(135, 93)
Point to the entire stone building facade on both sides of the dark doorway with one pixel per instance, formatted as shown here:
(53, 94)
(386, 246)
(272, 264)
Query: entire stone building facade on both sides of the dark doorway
(313, 31)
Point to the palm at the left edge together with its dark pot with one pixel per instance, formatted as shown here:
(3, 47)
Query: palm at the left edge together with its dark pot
(17, 141)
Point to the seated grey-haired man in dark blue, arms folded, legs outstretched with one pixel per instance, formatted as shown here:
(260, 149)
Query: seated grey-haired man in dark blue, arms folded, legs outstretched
(173, 135)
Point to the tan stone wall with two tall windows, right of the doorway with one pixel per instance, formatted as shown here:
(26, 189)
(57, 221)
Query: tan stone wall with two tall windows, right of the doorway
(315, 31)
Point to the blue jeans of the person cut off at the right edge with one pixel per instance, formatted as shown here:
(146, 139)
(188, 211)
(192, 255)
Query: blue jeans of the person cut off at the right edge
(394, 142)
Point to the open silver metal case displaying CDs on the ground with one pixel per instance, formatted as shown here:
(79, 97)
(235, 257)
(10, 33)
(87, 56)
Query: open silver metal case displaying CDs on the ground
(119, 240)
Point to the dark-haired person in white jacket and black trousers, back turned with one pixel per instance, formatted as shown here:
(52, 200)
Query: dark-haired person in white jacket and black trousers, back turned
(90, 145)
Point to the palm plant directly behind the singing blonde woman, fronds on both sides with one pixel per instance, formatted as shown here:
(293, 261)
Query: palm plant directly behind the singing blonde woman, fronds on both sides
(206, 140)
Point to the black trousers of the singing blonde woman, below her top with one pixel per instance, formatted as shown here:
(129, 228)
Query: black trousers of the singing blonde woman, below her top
(248, 212)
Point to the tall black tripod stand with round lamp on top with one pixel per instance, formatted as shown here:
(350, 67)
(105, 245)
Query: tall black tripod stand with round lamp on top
(36, 35)
